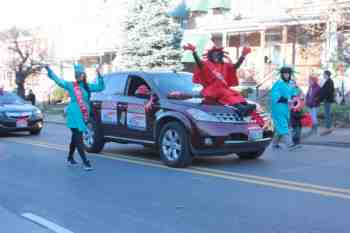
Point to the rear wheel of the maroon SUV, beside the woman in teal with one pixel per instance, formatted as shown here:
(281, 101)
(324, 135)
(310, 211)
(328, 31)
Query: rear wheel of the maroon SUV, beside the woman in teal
(93, 138)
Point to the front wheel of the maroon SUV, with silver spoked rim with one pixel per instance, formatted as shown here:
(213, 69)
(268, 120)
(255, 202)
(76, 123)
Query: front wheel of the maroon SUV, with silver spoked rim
(174, 145)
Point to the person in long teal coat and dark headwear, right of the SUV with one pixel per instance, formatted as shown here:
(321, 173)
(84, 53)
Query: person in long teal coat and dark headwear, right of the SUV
(281, 95)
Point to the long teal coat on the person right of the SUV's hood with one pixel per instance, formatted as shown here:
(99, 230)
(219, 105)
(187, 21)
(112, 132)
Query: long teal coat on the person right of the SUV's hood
(280, 111)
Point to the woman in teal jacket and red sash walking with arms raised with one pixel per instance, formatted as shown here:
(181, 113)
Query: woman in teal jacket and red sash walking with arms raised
(79, 108)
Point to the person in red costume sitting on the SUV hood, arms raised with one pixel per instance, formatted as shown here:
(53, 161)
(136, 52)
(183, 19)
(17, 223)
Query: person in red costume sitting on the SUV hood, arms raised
(217, 76)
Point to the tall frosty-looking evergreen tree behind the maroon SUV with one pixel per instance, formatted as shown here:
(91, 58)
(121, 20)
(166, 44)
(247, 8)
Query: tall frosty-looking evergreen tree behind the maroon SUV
(153, 38)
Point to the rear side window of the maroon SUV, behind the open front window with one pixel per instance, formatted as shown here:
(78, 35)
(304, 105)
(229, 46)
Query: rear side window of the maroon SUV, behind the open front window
(115, 84)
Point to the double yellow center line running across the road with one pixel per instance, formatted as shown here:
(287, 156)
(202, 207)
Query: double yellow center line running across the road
(245, 178)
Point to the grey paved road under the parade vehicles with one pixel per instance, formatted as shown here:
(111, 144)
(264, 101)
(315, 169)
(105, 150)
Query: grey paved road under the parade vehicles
(131, 191)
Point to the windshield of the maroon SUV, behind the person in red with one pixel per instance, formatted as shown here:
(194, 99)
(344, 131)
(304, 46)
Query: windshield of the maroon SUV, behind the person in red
(177, 82)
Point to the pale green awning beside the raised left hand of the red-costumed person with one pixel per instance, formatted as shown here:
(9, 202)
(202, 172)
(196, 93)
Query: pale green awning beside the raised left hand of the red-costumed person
(199, 40)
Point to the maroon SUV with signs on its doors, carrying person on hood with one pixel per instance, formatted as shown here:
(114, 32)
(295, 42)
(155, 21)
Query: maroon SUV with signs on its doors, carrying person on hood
(177, 124)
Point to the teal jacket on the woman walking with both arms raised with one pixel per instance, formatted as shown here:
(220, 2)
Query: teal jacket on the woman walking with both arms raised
(75, 119)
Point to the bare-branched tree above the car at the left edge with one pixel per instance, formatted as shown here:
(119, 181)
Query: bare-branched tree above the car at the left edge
(24, 55)
